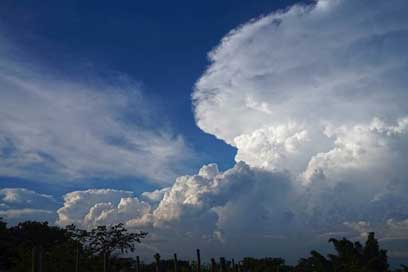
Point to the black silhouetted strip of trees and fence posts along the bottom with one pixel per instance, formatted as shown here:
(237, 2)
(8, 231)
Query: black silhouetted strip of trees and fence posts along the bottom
(38, 247)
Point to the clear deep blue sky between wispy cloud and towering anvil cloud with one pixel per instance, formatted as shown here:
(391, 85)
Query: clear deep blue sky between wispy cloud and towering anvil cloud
(162, 44)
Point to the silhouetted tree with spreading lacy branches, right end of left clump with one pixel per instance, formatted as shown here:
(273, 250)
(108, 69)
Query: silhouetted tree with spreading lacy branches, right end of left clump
(105, 240)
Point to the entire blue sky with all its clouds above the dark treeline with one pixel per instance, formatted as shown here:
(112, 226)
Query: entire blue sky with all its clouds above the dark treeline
(258, 128)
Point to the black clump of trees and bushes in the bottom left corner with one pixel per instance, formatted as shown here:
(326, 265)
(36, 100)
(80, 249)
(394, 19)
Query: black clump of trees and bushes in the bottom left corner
(50, 248)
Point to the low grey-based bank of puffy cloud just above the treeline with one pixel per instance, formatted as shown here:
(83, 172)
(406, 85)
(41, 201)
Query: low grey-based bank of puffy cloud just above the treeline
(246, 211)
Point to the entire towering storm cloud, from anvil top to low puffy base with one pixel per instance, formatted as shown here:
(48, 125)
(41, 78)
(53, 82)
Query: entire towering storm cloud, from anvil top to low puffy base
(314, 99)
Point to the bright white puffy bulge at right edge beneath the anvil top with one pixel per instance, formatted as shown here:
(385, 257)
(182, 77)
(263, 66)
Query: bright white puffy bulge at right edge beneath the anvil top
(377, 150)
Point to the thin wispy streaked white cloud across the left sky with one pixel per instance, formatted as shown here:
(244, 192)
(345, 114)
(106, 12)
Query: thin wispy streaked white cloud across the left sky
(57, 128)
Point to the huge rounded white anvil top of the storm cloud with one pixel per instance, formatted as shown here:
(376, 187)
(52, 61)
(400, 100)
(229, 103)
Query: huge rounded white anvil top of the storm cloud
(277, 84)
